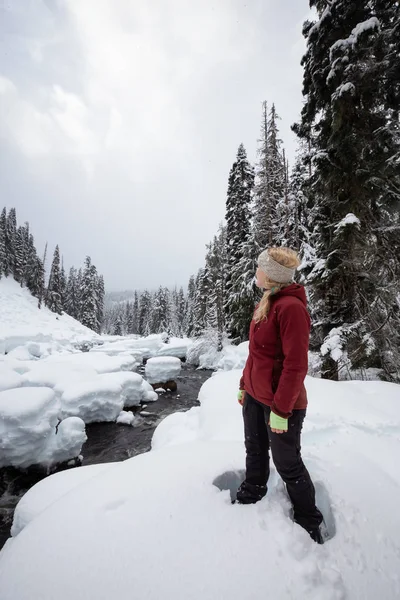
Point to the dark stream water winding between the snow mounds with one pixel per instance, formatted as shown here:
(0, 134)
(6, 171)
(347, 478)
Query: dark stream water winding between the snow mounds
(107, 442)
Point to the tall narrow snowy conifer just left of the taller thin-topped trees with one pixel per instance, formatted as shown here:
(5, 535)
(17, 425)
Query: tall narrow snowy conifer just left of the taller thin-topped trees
(239, 295)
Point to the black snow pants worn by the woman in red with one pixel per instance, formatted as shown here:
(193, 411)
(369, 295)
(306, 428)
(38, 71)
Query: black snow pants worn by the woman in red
(286, 455)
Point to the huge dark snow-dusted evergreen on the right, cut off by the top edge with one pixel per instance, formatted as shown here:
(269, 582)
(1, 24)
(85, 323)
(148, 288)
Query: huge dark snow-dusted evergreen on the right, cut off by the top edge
(351, 88)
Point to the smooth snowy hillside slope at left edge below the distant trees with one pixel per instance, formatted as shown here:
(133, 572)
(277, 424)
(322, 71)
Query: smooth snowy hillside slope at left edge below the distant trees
(22, 321)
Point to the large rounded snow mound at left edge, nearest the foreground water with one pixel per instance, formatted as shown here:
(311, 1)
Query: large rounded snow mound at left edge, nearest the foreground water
(28, 420)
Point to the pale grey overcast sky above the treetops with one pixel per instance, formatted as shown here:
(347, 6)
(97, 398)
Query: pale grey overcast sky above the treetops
(120, 120)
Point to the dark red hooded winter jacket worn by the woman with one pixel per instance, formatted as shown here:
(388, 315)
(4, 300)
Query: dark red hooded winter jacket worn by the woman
(278, 353)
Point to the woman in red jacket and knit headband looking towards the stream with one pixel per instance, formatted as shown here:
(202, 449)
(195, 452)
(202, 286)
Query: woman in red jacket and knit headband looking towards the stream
(272, 390)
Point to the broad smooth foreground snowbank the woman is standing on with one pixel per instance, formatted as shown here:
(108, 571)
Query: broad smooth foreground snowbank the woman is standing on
(77, 534)
